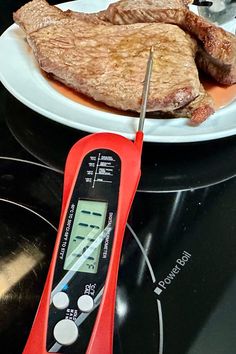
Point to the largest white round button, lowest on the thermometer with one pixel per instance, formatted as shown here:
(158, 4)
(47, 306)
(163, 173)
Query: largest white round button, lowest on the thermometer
(66, 332)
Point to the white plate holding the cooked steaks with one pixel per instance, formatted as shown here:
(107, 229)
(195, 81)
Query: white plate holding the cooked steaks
(20, 74)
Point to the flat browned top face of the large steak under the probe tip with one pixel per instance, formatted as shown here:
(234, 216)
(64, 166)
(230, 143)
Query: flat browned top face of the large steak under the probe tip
(108, 63)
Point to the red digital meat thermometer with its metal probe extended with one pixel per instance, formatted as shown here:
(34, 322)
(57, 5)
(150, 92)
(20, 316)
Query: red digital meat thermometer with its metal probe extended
(76, 311)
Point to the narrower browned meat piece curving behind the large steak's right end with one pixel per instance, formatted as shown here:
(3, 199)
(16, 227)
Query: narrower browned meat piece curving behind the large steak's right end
(218, 43)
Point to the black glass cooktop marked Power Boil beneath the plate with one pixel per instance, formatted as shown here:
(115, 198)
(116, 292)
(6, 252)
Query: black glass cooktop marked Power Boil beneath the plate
(177, 280)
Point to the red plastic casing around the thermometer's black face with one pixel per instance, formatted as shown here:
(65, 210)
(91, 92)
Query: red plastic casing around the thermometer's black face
(101, 340)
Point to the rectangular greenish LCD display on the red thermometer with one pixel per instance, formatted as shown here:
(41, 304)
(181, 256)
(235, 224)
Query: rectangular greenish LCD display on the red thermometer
(84, 246)
